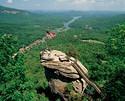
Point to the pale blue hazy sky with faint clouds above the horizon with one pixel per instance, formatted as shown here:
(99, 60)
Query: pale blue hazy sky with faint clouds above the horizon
(112, 5)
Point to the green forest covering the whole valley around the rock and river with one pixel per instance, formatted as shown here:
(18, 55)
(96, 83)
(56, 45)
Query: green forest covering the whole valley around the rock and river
(97, 39)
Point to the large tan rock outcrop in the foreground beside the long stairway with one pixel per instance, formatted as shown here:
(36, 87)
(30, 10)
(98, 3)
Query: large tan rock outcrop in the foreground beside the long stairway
(60, 72)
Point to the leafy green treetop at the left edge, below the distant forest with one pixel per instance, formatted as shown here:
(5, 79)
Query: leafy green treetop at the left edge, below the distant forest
(8, 46)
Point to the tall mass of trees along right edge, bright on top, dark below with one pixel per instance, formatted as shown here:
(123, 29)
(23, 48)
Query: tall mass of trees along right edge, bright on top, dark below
(114, 88)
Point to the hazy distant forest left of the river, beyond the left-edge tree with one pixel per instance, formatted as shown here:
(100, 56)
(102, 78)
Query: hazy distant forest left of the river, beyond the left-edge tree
(29, 26)
